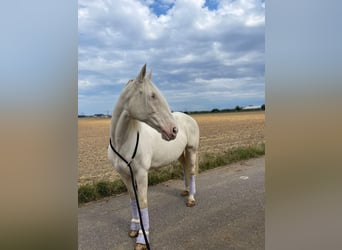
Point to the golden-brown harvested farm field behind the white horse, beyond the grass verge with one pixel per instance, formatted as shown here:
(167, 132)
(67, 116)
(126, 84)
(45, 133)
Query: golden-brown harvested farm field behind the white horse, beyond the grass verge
(218, 132)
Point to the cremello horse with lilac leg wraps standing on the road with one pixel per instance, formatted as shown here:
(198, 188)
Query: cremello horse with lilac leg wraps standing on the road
(164, 137)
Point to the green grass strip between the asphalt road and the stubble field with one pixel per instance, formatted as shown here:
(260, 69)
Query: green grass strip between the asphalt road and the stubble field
(101, 189)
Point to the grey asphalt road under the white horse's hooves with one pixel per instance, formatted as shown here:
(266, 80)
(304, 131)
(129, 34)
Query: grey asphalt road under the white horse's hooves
(229, 214)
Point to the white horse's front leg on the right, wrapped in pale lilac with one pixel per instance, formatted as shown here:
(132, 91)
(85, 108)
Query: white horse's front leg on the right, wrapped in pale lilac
(142, 183)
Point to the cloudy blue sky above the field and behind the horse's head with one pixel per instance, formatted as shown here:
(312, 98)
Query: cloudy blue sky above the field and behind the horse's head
(203, 54)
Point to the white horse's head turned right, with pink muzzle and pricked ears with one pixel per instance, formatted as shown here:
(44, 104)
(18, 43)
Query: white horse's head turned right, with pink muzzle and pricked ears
(147, 104)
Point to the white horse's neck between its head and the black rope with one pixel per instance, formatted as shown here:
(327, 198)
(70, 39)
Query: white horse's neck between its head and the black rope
(122, 126)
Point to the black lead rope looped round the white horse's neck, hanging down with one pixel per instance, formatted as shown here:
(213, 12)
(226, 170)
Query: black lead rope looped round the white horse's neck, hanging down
(134, 184)
